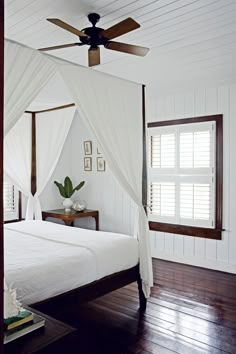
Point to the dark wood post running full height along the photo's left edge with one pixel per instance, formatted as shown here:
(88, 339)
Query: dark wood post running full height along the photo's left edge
(1, 164)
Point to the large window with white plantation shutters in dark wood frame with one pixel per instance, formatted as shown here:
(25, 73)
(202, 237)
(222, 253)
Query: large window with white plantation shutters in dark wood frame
(182, 175)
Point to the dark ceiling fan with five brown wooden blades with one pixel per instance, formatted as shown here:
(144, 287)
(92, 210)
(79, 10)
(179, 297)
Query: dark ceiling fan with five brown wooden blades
(95, 36)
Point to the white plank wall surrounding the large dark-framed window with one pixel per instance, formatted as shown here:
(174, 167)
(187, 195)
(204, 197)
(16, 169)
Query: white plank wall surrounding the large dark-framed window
(192, 250)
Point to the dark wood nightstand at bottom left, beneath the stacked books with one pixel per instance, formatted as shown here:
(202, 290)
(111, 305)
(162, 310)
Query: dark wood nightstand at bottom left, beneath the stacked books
(55, 334)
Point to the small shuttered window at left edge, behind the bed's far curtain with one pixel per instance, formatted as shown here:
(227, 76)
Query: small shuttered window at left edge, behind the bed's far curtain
(10, 201)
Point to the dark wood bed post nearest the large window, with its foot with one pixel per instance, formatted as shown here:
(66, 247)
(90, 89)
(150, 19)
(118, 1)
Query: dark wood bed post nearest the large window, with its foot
(142, 298)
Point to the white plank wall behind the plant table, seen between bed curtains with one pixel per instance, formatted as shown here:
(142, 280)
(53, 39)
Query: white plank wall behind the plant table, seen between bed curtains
(101, 191)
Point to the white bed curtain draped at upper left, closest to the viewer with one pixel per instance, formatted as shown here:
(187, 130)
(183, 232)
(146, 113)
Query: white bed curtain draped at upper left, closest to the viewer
(26, 71)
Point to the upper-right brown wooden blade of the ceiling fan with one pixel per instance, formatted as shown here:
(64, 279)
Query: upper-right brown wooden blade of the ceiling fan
(120, 28)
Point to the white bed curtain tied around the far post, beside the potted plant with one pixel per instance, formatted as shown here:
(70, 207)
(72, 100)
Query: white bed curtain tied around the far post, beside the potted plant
(51, 131)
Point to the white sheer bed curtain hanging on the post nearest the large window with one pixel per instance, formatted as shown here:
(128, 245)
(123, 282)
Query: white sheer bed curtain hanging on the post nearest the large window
(112, 109)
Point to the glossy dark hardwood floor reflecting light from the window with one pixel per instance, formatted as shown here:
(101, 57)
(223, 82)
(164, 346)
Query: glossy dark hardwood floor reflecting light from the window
(191, 311)
